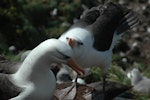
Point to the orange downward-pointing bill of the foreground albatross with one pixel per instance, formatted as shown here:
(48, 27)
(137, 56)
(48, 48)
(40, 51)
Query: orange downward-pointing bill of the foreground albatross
(75, 67)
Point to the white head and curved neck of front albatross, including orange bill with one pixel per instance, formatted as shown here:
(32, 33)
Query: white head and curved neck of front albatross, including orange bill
(41, 57)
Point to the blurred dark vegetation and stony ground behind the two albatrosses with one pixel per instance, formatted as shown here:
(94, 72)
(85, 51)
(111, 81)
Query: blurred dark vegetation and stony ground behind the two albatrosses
(26, 23)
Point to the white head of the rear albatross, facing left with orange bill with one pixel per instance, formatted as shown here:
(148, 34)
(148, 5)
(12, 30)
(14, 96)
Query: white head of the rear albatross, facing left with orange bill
(79, 39)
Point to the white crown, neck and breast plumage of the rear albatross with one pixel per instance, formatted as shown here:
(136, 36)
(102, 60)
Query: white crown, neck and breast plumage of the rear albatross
(85, 54)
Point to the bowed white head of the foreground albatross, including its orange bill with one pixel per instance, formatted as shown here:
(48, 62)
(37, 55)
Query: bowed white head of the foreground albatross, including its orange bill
(55, 51)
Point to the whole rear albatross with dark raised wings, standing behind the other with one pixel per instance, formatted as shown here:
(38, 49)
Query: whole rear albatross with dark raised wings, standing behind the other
(94, 36)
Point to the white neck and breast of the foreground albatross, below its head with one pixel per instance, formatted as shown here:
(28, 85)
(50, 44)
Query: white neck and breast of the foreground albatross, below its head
(35, 77)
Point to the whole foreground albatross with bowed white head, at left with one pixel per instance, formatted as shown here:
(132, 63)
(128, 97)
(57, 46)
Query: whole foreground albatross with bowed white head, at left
(34, 79)
